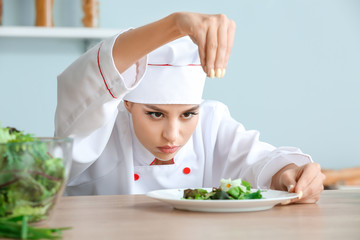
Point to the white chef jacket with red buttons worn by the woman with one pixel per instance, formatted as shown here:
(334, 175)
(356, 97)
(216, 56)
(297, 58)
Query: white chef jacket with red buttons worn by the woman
(109, 159)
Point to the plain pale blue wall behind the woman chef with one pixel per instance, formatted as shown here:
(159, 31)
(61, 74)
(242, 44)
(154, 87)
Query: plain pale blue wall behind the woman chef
(293, 74)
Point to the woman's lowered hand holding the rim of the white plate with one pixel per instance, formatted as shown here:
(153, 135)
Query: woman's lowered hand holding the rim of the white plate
(306, 180)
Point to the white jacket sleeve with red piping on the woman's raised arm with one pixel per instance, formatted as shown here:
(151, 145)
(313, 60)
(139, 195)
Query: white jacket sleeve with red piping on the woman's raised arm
(89, 92)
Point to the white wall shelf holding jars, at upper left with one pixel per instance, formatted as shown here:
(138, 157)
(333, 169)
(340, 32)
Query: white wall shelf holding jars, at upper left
(57, 32)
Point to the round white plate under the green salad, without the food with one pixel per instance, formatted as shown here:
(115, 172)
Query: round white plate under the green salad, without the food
(174, 197)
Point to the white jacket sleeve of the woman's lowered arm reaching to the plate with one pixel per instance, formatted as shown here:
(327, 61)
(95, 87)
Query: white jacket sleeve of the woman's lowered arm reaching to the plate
(239, 152)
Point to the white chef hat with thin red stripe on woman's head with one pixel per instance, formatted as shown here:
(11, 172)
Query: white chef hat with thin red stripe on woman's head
(173, 76)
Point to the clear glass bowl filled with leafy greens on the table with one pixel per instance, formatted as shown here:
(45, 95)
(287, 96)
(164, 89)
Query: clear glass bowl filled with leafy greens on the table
(33, 176)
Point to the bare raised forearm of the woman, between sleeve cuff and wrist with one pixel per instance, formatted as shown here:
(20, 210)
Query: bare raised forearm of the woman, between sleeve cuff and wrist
(135, 44)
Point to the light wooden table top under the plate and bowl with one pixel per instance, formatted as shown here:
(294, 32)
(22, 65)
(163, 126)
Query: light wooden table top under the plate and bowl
(335, 216)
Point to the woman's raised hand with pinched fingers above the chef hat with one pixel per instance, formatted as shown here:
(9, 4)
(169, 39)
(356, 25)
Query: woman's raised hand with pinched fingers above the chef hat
(214, 35)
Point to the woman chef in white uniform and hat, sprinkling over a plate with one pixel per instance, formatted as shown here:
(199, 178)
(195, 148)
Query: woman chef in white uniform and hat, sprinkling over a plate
(133, 105)
